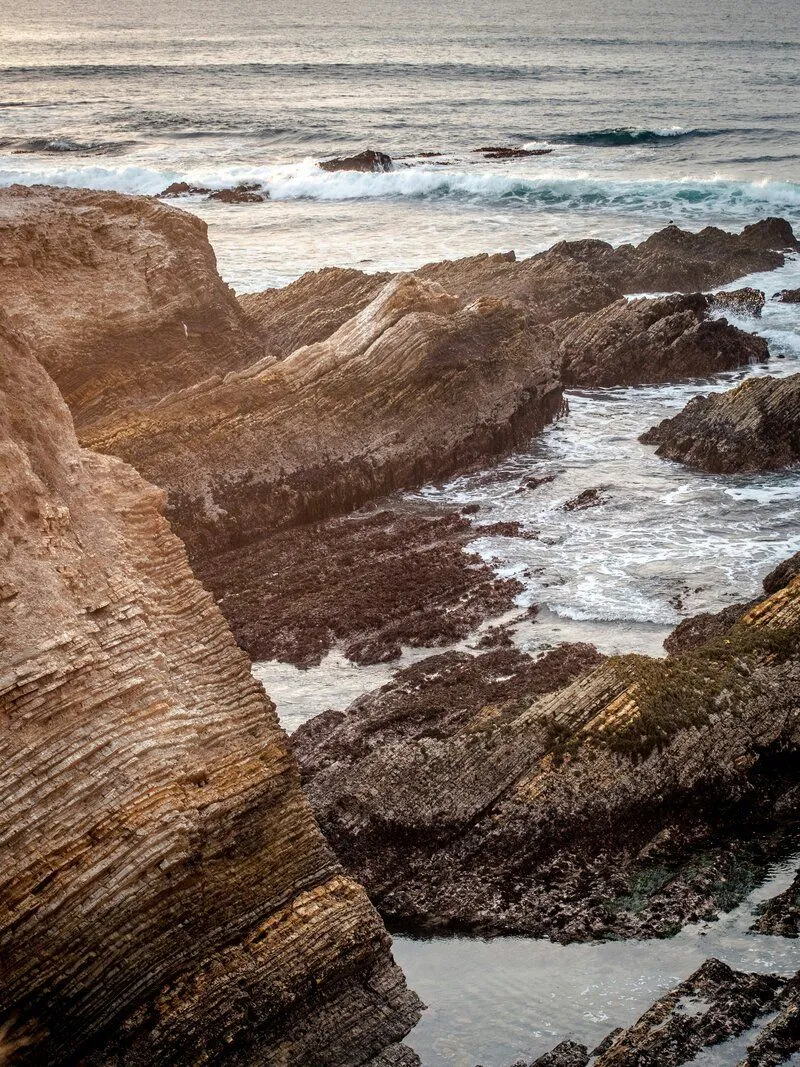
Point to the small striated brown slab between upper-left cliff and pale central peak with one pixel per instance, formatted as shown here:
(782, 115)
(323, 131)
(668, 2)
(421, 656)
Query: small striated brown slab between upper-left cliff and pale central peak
(312, 309)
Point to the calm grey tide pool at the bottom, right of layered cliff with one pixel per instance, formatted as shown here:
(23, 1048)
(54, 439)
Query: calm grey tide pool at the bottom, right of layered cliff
(494, 1001)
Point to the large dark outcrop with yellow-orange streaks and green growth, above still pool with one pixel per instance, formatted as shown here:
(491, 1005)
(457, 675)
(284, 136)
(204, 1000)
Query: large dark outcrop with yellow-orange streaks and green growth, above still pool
(644, 795)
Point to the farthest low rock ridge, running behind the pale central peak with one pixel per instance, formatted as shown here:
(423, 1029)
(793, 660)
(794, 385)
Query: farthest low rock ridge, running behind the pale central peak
(573, 278)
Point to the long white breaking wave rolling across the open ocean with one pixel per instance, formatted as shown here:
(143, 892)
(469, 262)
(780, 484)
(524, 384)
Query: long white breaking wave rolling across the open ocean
(294, 182)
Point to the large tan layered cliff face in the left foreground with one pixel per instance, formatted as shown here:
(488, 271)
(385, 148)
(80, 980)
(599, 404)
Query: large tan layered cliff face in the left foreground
(166, 896)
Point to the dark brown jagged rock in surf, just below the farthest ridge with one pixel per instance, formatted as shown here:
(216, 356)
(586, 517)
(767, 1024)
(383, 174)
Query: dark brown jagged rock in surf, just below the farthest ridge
(639, 342)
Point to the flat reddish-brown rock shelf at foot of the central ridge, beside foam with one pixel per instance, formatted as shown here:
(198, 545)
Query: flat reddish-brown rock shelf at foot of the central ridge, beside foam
(366, 584)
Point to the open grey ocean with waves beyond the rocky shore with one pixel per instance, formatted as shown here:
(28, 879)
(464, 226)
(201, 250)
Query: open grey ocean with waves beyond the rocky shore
(655, 112)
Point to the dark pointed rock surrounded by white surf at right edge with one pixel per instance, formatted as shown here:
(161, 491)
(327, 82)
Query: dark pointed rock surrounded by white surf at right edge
(753, 427)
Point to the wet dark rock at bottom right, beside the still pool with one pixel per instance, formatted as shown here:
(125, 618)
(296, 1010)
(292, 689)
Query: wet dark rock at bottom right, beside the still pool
(714, 1005)
